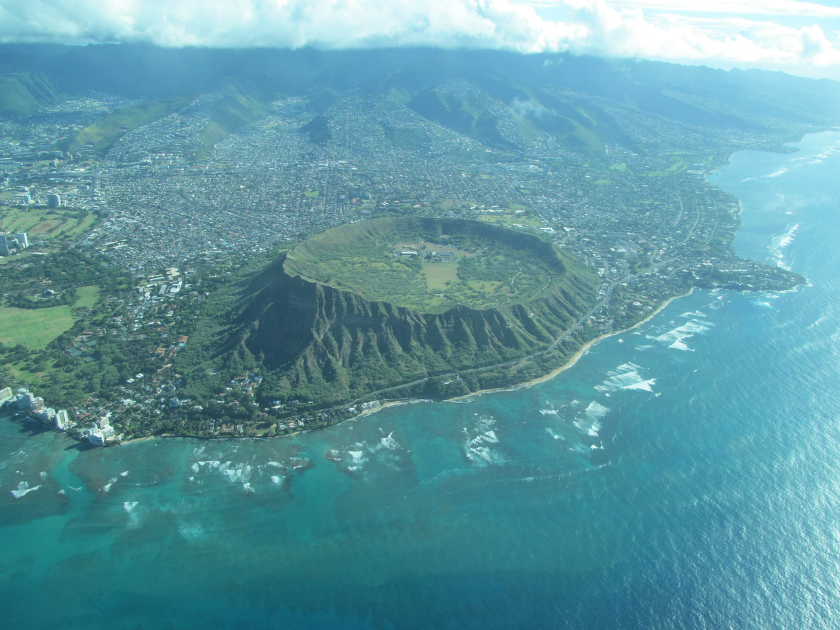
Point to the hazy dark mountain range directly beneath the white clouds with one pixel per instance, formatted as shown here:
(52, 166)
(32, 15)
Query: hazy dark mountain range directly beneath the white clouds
(696, 96)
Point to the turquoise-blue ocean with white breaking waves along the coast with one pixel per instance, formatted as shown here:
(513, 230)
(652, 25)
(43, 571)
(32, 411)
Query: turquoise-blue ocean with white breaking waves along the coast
(682, 475)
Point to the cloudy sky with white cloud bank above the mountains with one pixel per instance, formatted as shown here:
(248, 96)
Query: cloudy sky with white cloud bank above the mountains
(791, 35)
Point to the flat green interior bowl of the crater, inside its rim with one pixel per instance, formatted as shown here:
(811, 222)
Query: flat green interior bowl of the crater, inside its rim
(454, 262)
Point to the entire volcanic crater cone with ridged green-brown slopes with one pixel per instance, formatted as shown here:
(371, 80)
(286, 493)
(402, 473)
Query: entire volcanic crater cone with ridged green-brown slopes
(298, 322)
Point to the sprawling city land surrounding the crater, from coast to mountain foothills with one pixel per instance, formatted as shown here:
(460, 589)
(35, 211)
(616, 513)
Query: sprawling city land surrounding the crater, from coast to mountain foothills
(113, 248)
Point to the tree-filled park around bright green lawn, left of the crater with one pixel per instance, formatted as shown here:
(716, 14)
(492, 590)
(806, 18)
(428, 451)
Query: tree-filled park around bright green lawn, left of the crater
(49, 301)
